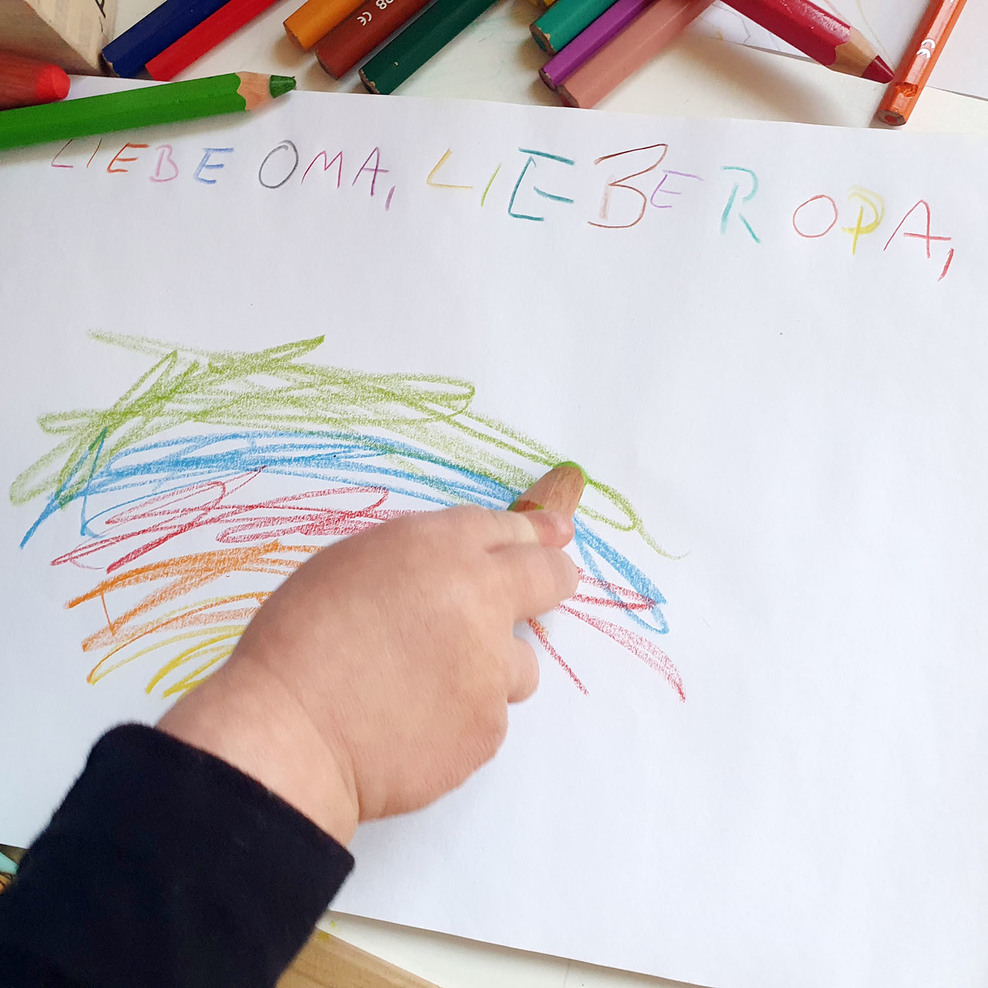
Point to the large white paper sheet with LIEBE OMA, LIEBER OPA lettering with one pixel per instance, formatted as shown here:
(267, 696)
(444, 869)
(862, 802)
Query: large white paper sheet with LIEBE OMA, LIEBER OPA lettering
(747, 330)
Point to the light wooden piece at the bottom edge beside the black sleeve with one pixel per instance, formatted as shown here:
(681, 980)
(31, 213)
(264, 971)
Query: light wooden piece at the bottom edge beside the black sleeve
(329, 962)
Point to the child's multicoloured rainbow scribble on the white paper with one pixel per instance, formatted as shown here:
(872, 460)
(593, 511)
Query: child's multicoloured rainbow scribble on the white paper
(199, 451)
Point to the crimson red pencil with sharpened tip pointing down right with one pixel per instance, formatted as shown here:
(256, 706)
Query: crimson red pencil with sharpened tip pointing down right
(818, 33)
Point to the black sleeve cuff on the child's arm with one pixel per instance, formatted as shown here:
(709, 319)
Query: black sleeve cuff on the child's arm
(166, 866)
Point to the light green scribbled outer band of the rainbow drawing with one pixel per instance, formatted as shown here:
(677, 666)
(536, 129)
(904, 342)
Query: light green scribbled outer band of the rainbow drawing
(275, 388)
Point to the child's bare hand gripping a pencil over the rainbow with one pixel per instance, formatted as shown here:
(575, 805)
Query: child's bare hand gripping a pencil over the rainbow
(378, 676)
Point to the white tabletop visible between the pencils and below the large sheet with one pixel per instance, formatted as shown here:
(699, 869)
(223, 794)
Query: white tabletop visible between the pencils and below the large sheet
(496, 59)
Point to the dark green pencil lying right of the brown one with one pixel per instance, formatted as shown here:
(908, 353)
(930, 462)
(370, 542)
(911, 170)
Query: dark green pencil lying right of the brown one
(419, 41)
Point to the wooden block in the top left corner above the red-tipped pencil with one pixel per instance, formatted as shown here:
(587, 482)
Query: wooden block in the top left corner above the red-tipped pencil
(70, 33)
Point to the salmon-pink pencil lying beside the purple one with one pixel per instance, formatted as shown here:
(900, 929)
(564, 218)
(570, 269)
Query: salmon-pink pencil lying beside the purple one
(624, 54)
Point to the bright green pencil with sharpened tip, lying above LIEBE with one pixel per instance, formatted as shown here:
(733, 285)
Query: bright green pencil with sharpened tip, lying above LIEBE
(165, 103)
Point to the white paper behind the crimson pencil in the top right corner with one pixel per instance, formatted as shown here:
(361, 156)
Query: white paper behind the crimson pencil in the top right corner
(888, 26)
